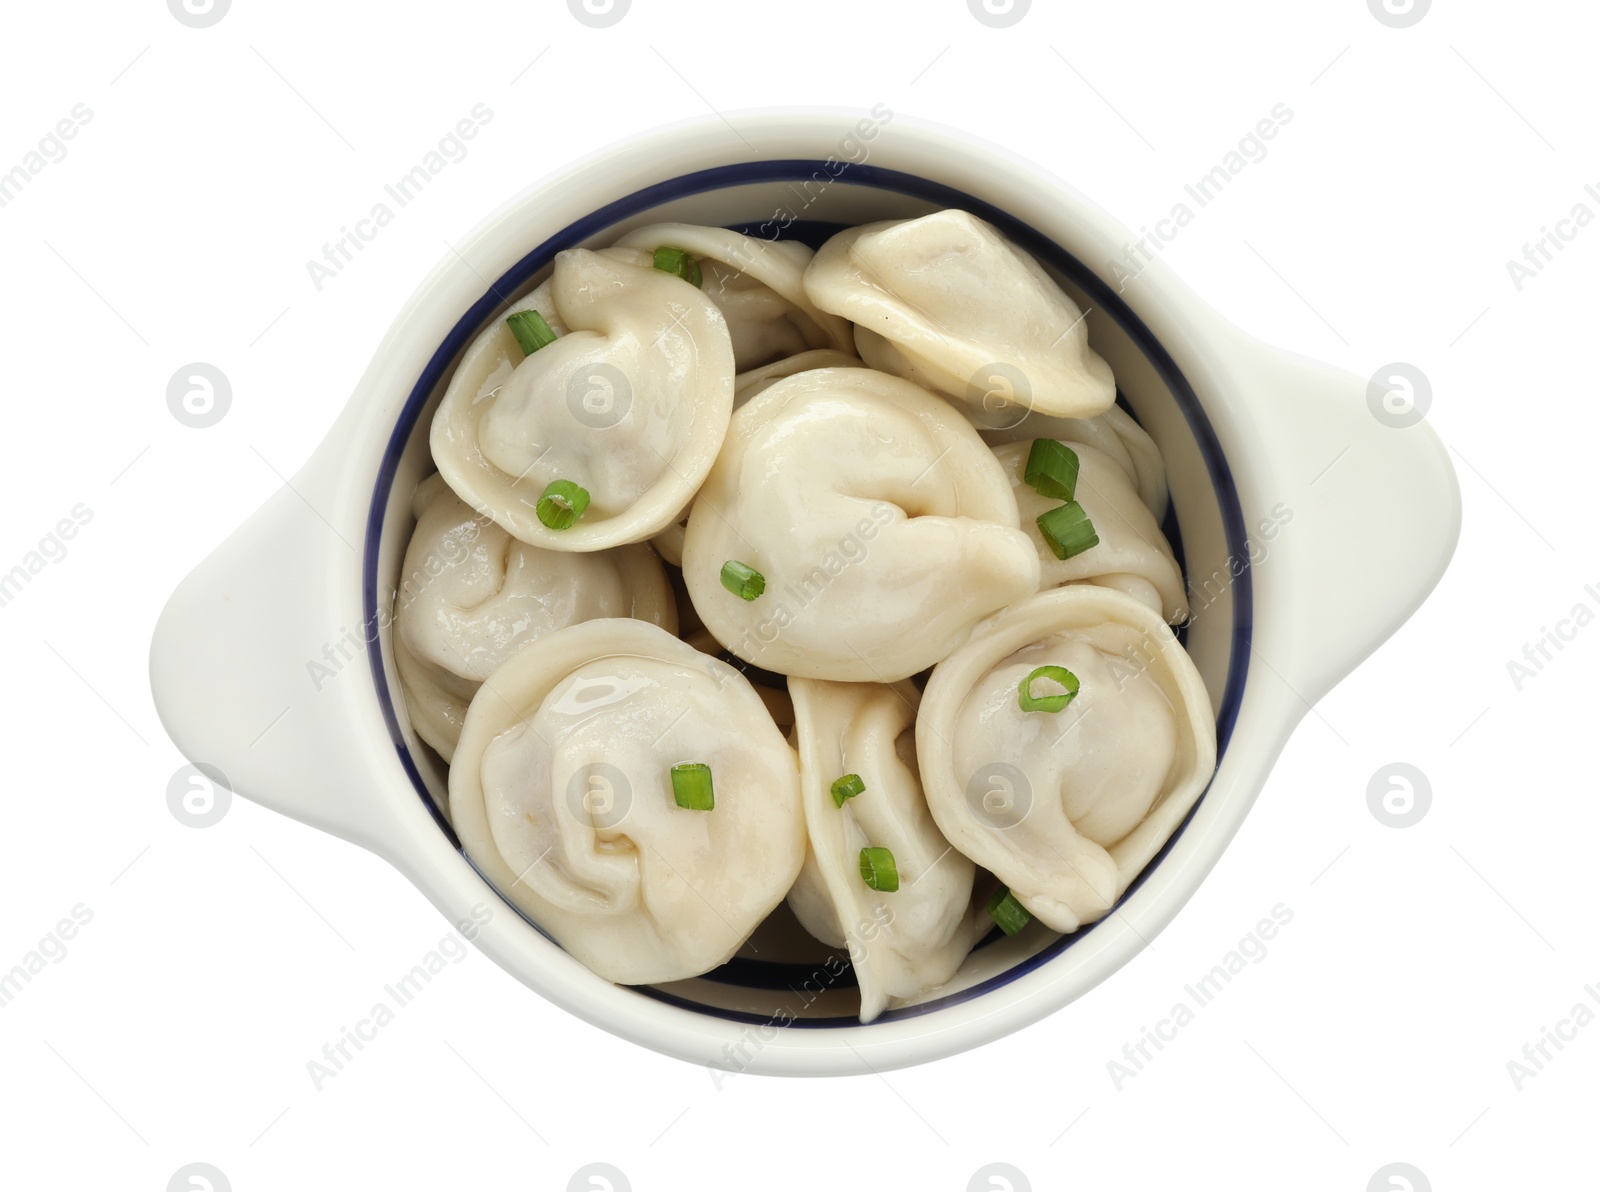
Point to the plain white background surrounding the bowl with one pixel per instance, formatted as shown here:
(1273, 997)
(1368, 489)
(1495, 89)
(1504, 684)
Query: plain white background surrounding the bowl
(218, 962)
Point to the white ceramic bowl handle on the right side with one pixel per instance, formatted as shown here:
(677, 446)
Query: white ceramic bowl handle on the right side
(1375, 516)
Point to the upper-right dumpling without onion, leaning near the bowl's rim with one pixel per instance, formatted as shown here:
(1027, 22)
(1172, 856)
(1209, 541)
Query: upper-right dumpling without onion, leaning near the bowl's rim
(948, 302)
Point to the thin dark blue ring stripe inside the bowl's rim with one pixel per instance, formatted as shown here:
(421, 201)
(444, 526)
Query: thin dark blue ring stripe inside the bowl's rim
(796, 170)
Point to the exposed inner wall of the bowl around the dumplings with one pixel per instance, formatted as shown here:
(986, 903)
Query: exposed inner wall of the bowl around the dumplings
(783, 974)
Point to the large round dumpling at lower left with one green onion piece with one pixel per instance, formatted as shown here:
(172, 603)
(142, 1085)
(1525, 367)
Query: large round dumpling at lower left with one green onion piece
(633, 798)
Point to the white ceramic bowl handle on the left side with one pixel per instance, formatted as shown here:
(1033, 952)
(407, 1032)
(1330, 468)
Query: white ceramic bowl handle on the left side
(258, 668)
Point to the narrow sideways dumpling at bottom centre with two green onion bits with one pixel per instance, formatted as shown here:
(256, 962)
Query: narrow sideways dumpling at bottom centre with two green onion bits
(902, 942)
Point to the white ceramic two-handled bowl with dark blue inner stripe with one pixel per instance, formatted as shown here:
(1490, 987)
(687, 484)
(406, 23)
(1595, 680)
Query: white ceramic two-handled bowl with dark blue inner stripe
(1249, 436)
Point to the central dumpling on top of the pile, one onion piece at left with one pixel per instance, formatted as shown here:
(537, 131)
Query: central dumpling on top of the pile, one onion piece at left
(871, 527)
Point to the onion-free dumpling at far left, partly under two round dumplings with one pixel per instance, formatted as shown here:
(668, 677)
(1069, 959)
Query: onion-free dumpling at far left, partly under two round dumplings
(473, 596)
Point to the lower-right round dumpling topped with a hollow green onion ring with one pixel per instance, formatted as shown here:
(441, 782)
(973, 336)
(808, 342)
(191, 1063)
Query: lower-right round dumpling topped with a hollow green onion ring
(1066, 807)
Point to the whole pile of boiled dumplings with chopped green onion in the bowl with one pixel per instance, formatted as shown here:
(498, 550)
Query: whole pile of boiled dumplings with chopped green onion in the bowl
(804, 438)
